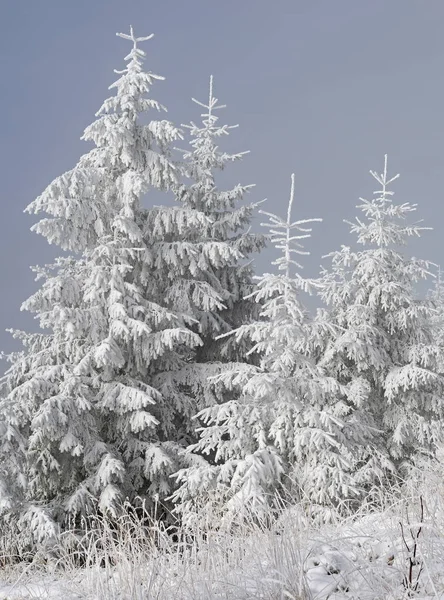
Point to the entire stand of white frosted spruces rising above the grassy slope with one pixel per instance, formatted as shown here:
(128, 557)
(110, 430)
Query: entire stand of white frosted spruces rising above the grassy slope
(162, 371)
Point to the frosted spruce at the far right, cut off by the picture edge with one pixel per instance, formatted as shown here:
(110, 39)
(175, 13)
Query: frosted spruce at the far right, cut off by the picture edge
(385, 356)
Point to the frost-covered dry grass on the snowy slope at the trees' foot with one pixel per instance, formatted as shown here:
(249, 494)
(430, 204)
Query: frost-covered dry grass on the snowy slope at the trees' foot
(394, 552)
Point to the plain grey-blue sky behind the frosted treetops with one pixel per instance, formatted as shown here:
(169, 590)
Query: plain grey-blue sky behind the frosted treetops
(319, 87)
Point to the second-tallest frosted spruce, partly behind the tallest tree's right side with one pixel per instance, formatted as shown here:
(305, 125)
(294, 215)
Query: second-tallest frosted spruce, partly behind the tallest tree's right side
(202, 263)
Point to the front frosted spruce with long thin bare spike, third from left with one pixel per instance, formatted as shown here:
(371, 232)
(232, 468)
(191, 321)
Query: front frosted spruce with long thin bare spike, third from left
(281, 433)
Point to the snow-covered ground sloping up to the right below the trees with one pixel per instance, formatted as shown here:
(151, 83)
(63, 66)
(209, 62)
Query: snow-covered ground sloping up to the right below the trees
(368, 558)
